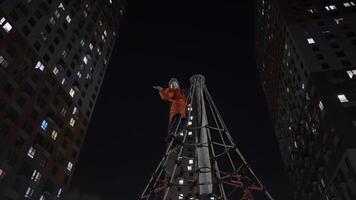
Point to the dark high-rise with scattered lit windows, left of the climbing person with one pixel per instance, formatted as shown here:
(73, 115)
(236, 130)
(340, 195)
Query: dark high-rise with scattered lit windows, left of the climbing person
(53, 58)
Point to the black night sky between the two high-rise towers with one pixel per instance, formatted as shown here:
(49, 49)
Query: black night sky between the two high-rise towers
(160, 39)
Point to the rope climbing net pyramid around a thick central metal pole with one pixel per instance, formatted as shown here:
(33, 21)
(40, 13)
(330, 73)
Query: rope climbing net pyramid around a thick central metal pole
(202, 162)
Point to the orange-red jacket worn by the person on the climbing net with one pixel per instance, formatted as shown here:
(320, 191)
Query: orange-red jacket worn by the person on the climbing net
(178, 101)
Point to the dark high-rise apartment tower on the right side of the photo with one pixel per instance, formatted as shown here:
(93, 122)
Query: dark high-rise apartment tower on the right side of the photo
(306, 57)
